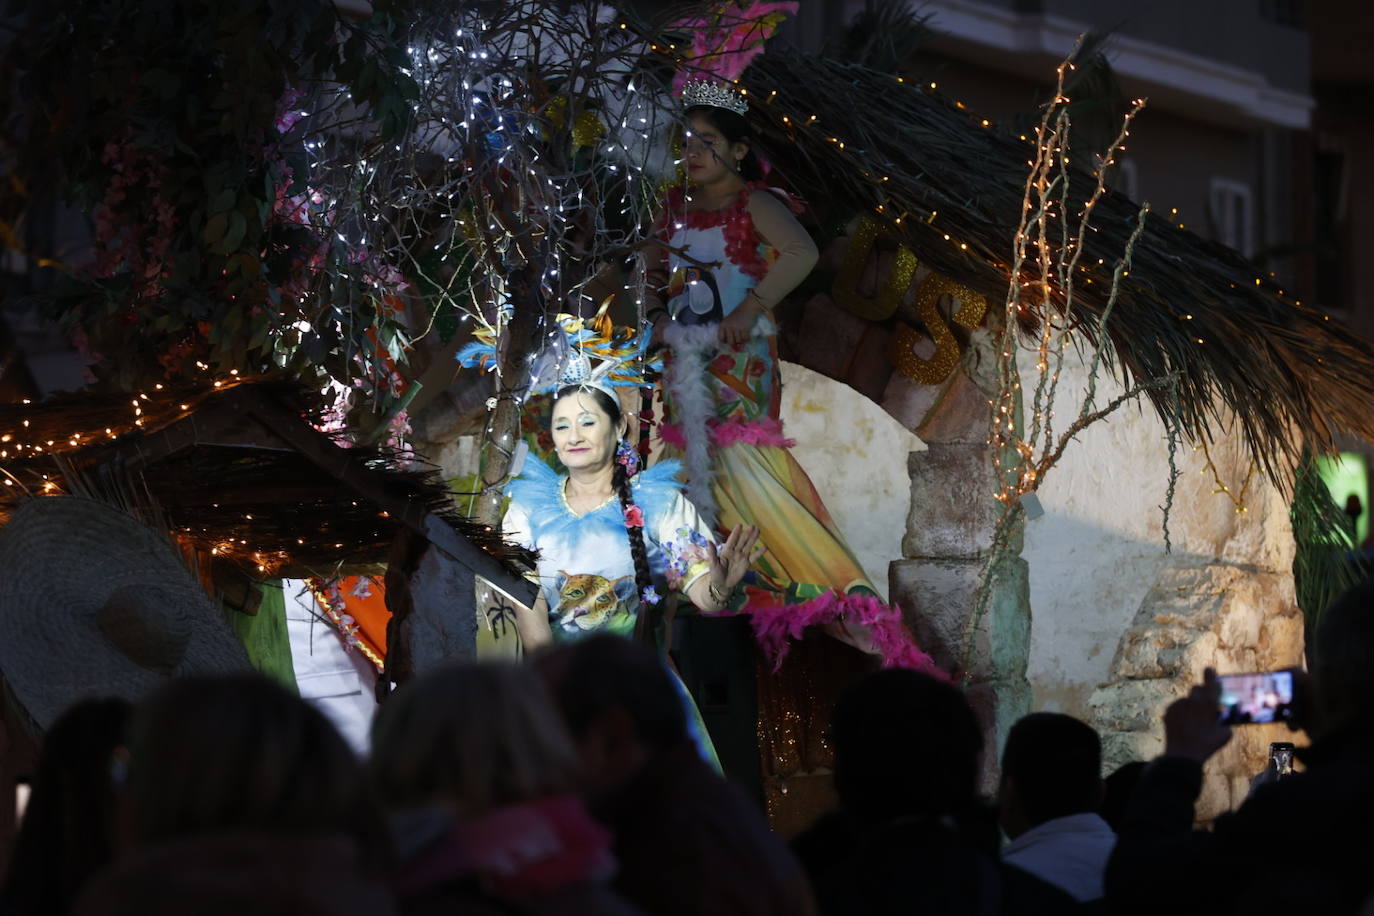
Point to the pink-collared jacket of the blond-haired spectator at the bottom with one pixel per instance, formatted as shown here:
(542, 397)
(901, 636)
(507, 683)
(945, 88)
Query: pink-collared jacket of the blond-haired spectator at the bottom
(545, 858)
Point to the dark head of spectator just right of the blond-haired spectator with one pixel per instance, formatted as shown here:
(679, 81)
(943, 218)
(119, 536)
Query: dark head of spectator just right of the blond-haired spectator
(619, 702)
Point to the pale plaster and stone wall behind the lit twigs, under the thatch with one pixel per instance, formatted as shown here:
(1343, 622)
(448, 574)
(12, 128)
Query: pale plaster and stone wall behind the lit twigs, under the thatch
(1120, 628)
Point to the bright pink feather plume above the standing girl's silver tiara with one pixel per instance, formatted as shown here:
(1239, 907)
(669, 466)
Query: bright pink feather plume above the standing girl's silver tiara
(723, 45)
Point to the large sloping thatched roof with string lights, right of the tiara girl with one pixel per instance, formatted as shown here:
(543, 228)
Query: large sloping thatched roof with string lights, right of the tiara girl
(950, 186)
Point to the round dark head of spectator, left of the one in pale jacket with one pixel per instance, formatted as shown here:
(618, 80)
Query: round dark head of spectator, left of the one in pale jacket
(905, 745)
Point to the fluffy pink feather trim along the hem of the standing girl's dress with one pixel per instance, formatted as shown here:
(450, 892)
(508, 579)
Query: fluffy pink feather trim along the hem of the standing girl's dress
(777, 626)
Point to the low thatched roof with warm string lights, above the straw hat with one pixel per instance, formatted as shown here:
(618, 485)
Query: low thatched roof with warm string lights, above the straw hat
(237, 472)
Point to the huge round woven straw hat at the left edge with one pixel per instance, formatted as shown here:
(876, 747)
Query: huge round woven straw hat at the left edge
(93, 602)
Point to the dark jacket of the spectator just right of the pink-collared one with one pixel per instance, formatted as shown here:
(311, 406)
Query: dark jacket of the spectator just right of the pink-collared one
(692, 845)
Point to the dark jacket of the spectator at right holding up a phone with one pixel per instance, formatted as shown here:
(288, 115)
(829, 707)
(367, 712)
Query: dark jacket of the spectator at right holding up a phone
(1300, 845)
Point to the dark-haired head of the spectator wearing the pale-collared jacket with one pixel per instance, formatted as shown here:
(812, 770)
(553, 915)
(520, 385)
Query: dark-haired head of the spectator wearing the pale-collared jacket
(1052, 768)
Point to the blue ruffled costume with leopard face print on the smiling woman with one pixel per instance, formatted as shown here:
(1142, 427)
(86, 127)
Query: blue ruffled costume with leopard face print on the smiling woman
(586, 571)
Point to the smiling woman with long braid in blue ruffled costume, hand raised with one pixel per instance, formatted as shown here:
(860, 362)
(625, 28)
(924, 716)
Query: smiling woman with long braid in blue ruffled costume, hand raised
(611, 542)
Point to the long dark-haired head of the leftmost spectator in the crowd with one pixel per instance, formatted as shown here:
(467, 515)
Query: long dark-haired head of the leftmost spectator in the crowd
(72, 823)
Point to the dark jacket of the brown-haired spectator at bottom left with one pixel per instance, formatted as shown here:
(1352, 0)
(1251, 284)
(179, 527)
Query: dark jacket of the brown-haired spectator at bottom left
(236, 874)
